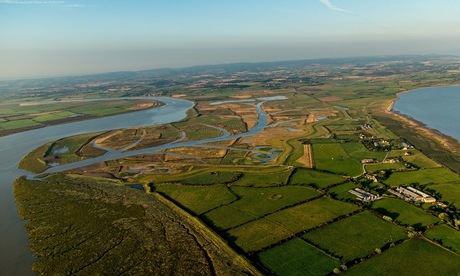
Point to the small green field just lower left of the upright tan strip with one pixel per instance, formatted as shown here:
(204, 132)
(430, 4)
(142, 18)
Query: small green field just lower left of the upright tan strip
(264, 178)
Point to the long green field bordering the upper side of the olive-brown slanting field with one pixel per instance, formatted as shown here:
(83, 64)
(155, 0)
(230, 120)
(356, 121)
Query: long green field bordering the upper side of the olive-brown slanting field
(256, 202)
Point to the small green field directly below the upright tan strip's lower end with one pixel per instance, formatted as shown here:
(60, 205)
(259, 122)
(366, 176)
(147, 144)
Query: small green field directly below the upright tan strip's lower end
(314, 178)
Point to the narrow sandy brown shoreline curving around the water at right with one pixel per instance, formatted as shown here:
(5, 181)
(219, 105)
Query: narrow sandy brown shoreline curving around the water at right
(447, 141)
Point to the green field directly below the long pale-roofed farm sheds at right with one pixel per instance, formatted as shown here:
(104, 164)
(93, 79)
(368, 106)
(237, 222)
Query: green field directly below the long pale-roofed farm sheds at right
(404, 213)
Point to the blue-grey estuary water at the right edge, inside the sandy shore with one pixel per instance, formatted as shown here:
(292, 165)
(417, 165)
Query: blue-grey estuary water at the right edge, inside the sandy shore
(436, 107)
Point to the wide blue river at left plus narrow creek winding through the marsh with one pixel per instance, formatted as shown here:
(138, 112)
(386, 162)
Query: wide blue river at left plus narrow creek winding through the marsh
(15, 256)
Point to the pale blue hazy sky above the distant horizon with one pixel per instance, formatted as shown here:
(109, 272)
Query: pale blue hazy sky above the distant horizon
(41, 38)
